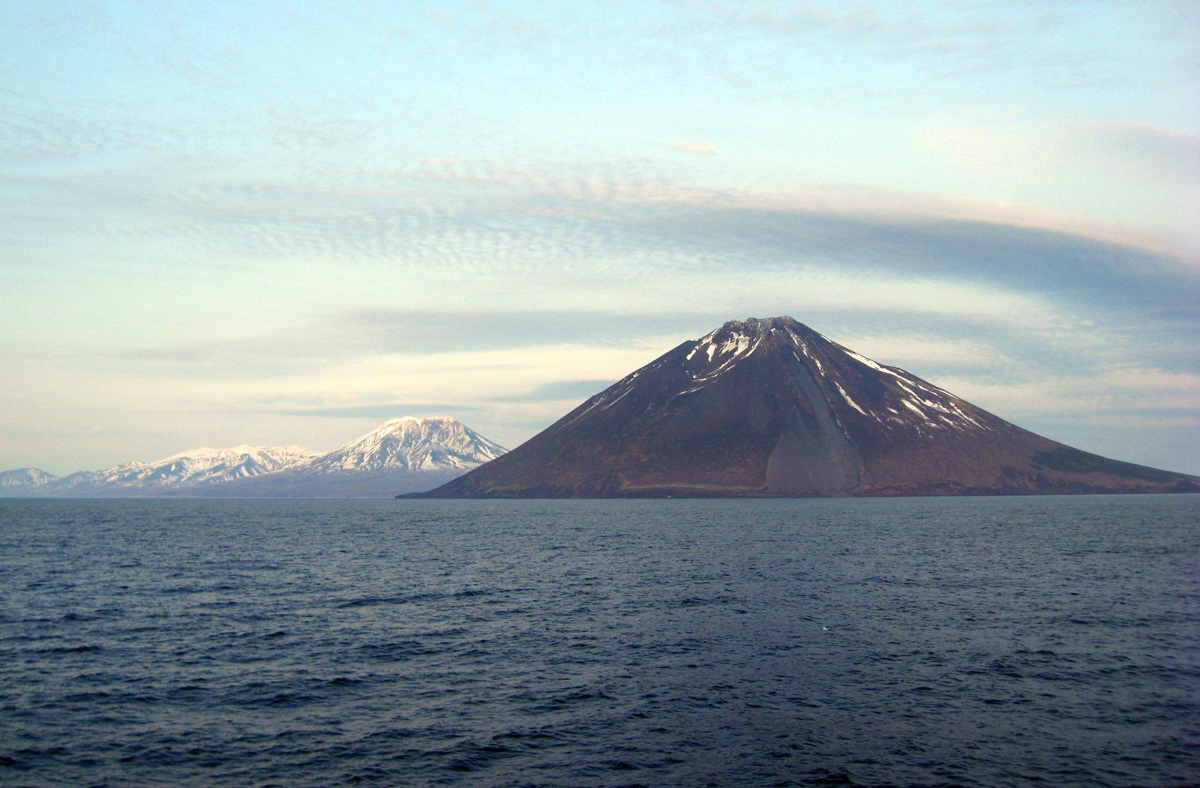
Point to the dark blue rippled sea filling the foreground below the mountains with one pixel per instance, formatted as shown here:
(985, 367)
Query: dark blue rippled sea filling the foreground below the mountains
(991, 642)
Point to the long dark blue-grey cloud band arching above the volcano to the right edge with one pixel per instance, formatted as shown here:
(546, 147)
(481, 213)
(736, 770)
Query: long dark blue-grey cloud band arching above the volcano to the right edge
(1066, 268)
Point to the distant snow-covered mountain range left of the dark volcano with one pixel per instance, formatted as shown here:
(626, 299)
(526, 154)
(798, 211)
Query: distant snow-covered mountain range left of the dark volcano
(401, 455)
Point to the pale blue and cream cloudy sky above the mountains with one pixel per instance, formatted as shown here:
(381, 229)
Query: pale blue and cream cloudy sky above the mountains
(268, 224)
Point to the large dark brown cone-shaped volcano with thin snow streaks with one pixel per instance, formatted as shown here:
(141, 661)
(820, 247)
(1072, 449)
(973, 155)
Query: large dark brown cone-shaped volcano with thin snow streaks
(771, 408)
